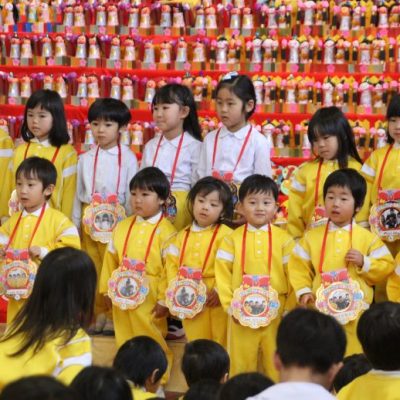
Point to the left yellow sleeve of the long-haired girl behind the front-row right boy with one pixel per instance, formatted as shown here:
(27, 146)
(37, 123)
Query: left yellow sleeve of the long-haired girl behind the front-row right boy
(296, 224)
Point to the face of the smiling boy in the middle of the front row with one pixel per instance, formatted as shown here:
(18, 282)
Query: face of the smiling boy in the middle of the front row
(258, 209)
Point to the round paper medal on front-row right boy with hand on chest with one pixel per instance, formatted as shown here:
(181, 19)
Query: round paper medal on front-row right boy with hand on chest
(342, 300)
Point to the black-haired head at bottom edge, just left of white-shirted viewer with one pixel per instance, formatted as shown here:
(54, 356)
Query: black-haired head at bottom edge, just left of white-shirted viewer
(245, 385)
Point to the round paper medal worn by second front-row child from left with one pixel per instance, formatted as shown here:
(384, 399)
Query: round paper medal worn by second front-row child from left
(127, 289)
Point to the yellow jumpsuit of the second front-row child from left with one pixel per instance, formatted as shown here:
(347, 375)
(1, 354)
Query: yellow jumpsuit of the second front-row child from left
(132, 323)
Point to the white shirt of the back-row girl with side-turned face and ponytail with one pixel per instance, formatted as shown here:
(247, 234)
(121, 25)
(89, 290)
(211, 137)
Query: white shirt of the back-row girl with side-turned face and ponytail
(187, 161)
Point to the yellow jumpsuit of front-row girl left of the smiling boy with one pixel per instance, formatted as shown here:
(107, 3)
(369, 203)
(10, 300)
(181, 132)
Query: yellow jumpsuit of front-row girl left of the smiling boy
(211, 323)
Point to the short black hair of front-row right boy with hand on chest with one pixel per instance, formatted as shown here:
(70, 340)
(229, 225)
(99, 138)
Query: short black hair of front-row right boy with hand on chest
(351, 179)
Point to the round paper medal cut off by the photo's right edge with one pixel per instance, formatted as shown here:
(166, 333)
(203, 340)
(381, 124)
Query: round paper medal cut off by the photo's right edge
(385, 221)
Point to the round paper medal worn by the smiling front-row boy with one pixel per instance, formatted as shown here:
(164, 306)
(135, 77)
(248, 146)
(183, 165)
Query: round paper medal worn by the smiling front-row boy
(255, 306)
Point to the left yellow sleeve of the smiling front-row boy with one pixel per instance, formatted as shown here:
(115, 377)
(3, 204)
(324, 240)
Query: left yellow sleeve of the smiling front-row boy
(223, 271)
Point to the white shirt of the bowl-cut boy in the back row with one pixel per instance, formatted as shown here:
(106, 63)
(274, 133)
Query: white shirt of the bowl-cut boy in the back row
(106, 177)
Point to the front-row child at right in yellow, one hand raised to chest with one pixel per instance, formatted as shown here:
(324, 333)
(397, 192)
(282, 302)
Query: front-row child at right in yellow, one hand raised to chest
(328, 255)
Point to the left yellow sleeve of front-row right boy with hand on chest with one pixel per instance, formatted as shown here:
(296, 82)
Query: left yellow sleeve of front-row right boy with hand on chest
(301, 271)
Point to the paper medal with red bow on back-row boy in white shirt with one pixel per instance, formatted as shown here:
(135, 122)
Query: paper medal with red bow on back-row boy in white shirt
(101, 217)
